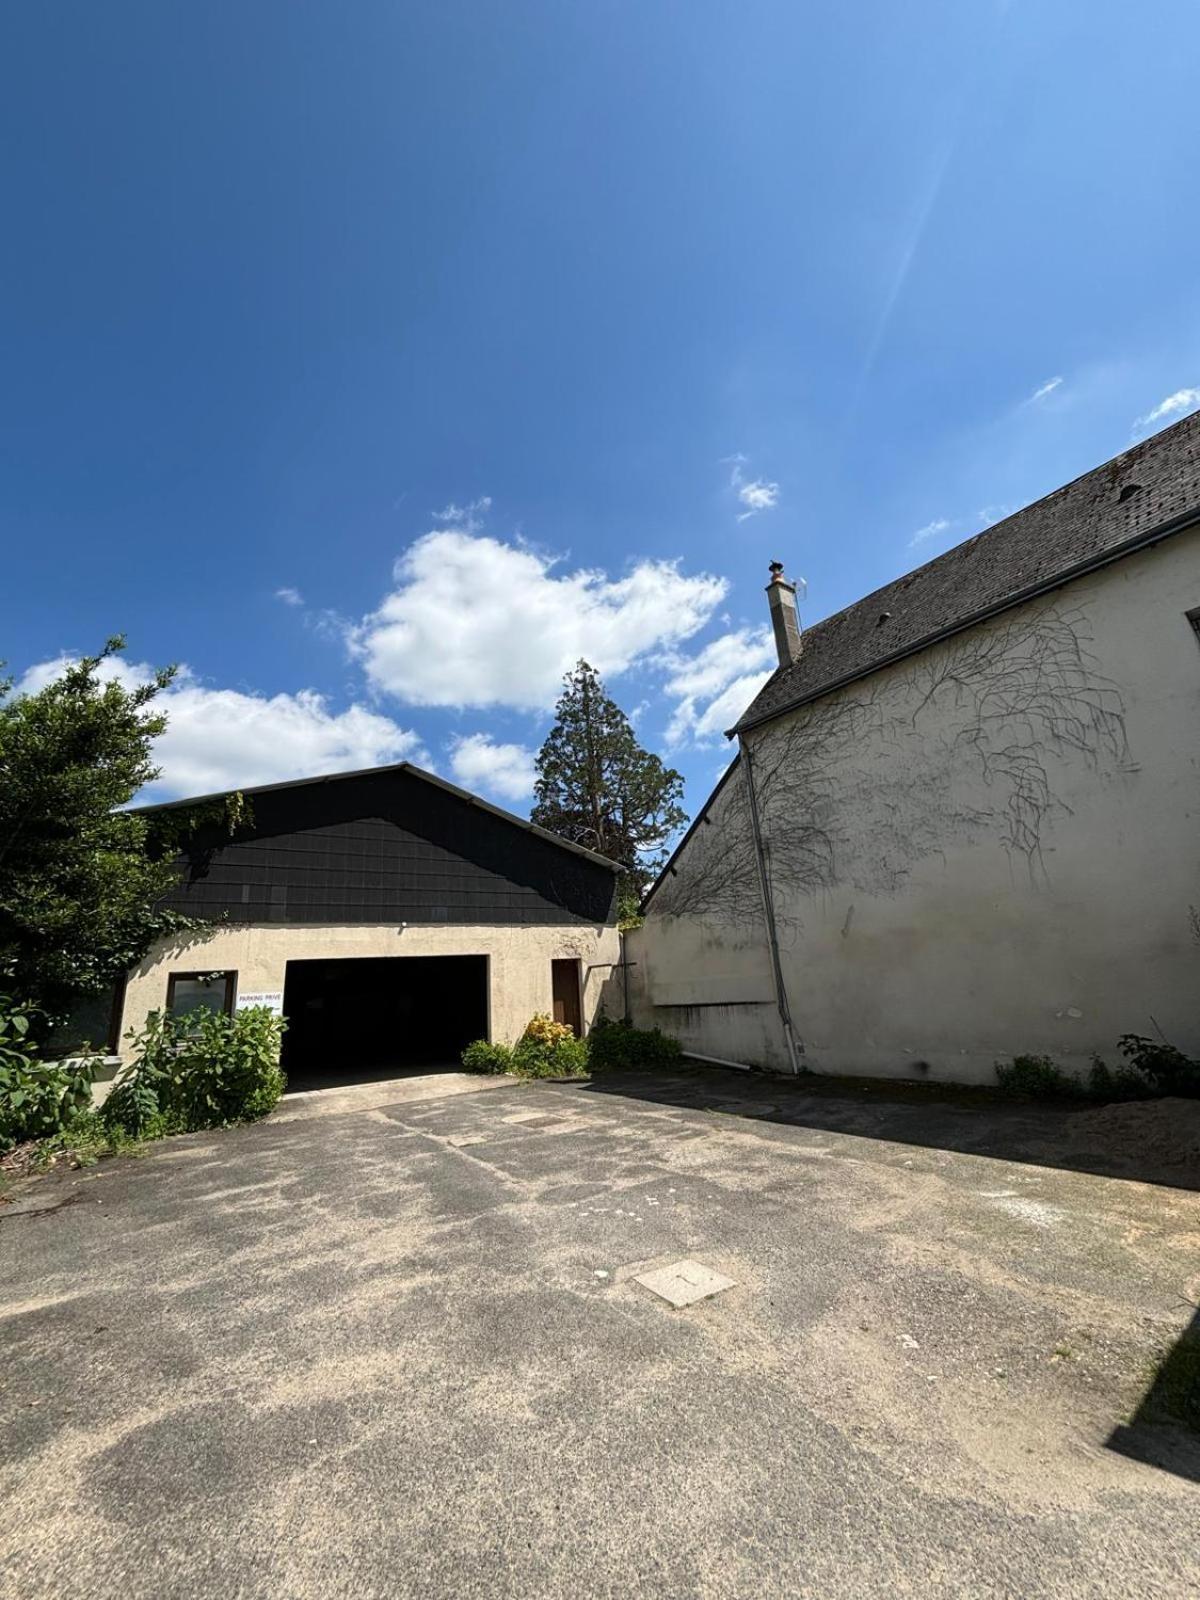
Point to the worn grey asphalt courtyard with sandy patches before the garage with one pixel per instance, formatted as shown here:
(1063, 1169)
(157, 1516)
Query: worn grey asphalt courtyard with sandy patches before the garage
(393, 1343)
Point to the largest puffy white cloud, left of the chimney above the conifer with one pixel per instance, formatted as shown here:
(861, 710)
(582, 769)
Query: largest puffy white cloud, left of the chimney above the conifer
(476, 622)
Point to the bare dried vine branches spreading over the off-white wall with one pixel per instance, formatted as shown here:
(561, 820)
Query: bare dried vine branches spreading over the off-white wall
(858, 788)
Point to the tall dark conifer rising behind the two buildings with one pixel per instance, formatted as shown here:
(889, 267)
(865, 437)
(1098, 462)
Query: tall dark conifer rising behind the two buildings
(599, 788)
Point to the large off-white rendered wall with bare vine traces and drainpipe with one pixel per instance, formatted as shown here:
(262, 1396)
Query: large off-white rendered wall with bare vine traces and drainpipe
(986, 850)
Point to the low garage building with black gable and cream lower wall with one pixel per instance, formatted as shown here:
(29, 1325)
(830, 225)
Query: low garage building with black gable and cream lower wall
(390, 916)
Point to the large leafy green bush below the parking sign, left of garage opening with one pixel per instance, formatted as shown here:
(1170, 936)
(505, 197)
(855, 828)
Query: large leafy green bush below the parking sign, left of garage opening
(202, 1071)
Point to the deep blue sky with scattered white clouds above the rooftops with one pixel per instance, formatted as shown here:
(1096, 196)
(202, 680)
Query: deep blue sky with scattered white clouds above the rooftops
(377, 361)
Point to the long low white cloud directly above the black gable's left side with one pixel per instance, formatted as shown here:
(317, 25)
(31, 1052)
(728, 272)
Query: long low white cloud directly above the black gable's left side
(230, 738)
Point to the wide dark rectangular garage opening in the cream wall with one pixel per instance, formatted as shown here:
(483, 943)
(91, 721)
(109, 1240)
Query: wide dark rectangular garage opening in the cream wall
(366, 1018)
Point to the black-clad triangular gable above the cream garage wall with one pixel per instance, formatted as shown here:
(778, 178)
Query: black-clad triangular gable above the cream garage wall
(388, 849)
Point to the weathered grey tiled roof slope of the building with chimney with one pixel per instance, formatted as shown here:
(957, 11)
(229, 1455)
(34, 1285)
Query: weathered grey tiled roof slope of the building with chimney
(1150, 489)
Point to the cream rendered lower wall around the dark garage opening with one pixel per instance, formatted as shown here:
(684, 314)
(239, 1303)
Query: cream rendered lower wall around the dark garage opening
(519, 962)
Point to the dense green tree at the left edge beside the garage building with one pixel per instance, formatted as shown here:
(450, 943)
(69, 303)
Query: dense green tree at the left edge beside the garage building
(79, 876)
